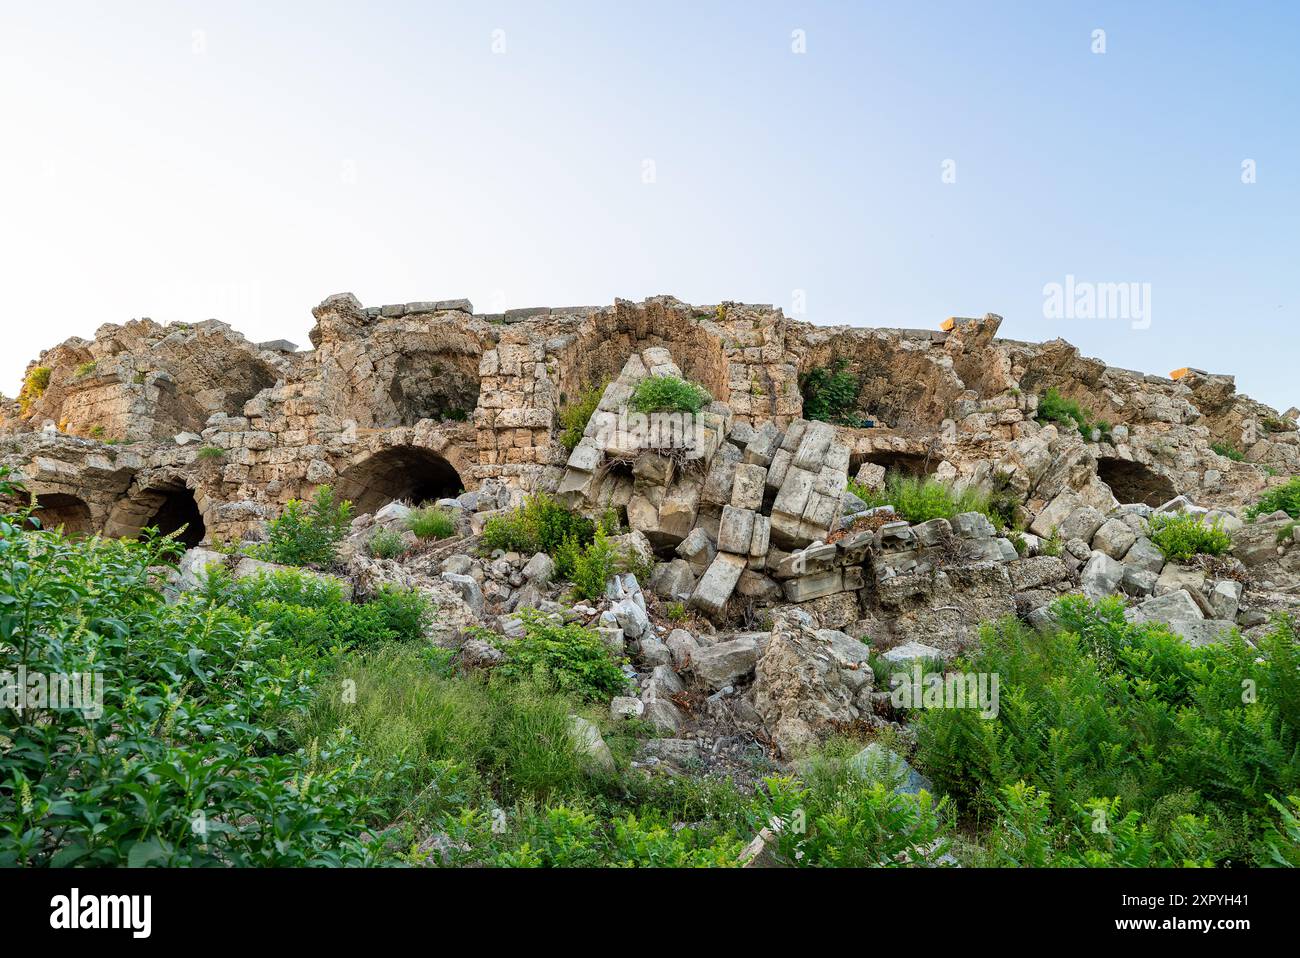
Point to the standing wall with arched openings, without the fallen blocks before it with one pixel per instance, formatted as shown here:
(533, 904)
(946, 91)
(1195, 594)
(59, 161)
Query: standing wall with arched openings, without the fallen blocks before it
(409, 398)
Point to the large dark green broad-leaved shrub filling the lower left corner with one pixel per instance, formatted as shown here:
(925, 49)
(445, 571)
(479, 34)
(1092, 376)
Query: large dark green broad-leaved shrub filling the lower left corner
(188, 764)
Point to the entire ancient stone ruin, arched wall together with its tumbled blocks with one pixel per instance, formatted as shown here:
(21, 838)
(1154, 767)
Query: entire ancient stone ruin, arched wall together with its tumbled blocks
(194, 430)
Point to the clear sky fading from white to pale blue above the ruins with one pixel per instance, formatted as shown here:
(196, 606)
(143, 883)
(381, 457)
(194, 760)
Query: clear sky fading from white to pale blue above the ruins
(917, 161)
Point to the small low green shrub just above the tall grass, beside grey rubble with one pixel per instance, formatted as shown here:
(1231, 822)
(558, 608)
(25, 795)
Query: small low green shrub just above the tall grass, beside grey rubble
(565, 657)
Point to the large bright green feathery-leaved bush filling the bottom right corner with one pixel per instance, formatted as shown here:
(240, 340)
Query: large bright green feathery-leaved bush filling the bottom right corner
(1130, 727)
